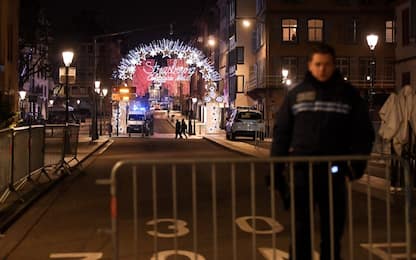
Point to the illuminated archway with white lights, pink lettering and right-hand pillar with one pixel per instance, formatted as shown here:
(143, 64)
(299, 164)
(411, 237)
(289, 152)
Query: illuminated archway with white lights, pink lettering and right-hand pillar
(192, 58)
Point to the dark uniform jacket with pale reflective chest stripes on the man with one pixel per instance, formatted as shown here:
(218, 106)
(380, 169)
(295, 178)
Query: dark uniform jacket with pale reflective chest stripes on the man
(323, 118)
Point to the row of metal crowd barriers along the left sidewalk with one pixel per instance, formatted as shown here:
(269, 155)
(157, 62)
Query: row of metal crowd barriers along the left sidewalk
(29, 150)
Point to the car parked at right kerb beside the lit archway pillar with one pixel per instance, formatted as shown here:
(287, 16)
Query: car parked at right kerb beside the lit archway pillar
(244, 122)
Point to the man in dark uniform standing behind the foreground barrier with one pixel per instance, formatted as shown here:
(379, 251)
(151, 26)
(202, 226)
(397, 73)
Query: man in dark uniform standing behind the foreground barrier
(324, 115)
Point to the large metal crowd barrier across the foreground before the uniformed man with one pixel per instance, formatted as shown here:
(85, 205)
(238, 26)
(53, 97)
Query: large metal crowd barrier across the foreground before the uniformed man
(222, 209)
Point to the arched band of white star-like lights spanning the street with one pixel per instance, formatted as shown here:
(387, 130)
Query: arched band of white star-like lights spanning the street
(167, 48)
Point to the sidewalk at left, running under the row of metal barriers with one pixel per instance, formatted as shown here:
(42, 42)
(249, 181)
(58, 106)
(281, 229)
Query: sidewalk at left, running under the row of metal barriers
(41, 182)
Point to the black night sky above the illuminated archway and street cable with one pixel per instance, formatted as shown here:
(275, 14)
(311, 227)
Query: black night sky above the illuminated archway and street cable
(88, 17)
